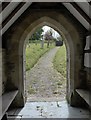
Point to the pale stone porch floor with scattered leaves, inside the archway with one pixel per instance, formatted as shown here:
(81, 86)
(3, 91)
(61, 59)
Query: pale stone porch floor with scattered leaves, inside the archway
(48, 110)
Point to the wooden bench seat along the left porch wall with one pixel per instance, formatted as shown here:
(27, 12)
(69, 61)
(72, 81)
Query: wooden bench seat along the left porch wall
(6, 100)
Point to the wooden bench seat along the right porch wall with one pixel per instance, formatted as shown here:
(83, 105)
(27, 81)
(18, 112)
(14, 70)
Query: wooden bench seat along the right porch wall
(85, 94)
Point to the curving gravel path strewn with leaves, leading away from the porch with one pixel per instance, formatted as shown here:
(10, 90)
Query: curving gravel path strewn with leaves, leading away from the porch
(44, 83)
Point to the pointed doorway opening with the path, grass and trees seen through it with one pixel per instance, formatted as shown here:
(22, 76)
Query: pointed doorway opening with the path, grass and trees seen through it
(45, 62)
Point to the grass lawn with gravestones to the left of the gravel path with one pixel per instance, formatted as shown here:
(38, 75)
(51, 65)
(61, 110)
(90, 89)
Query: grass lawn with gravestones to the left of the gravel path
(33, 53)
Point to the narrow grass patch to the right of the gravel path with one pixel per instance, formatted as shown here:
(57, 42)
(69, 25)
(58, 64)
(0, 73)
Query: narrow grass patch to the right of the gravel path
(59, 61)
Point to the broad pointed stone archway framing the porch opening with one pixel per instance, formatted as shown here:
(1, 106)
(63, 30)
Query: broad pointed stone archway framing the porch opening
(16, 49)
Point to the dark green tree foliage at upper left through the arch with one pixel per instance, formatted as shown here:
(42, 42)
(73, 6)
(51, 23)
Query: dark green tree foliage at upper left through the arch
(37, 35)
